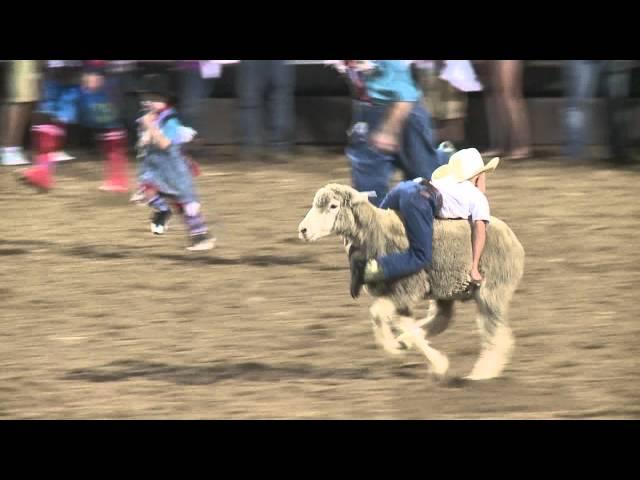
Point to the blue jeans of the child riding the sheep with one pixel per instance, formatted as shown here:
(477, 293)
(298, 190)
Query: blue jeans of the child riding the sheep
(418, 209)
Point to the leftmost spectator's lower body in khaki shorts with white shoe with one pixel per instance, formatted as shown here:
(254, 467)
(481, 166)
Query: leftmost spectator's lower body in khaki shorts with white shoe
(22, 92)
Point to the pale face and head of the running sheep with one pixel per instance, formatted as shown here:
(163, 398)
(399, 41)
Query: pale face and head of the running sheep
(330, 213)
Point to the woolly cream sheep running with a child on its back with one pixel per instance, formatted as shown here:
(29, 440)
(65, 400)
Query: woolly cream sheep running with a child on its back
(343, 211)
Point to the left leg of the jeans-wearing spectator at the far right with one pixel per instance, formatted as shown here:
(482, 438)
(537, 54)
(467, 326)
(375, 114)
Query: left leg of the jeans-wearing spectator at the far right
(582, 82)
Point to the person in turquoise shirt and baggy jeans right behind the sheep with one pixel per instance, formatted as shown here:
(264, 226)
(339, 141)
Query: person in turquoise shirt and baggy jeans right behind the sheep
(391, 128)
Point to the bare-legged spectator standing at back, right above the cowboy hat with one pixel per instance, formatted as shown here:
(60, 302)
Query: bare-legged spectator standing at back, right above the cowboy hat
(507, 116)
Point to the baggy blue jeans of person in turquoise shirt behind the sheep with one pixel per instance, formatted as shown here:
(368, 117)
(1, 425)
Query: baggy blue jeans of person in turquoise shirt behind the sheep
(372, 169)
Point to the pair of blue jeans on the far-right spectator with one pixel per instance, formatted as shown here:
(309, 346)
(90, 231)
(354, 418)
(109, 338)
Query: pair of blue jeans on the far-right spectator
(582, 85)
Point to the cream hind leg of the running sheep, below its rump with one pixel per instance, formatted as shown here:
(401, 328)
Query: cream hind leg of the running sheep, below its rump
(497, 341)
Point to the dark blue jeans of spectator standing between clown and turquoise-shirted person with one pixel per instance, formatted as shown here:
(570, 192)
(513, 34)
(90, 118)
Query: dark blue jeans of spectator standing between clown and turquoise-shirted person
(257, 79)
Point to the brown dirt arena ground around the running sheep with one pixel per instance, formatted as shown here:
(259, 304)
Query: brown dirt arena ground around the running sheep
(100, 319)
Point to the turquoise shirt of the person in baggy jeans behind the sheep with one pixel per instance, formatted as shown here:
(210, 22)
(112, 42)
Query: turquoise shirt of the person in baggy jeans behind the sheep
(392, 81)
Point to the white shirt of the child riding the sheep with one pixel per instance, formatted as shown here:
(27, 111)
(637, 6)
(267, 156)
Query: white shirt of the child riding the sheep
(462, 200)
